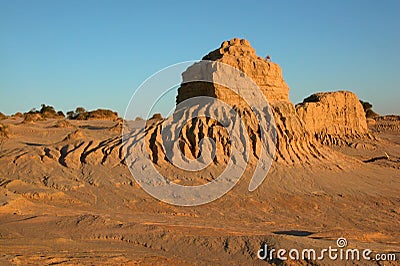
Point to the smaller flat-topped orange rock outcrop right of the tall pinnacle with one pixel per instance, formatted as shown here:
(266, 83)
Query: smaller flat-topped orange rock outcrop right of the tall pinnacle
(333, 117)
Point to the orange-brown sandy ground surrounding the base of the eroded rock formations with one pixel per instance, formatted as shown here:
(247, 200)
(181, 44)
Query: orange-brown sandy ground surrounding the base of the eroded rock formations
(60, 203)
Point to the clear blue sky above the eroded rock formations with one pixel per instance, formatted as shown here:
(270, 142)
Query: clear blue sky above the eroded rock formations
(96, 53)
